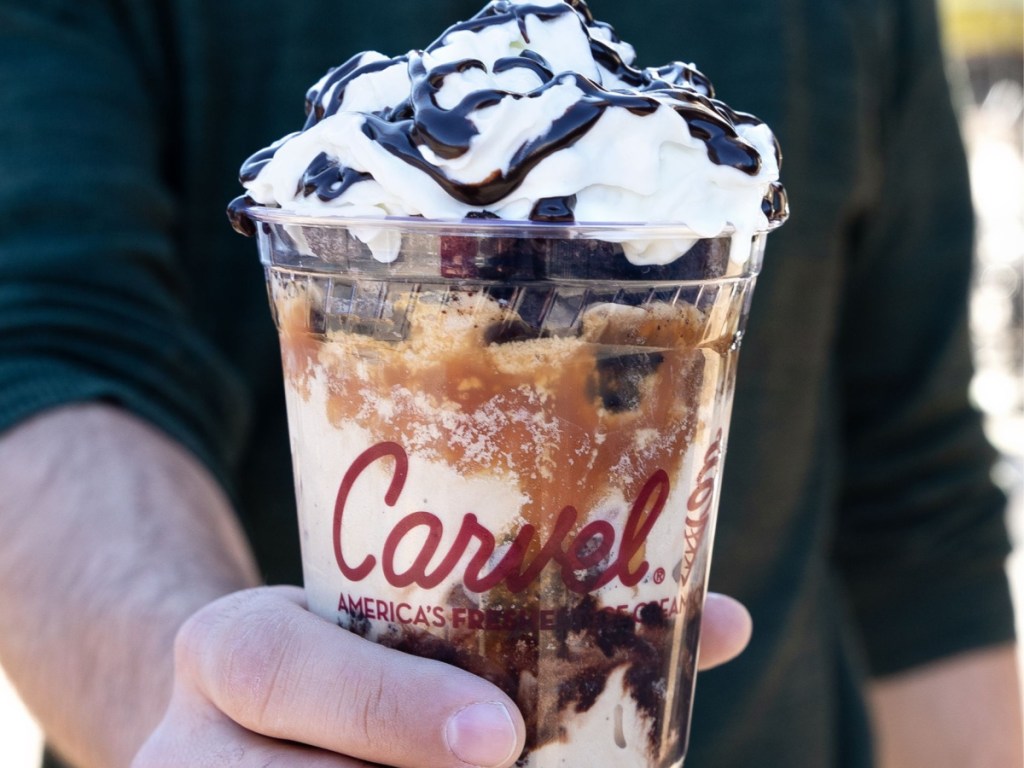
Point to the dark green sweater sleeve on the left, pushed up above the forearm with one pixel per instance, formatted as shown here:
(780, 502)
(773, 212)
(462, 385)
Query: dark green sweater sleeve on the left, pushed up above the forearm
(94, 302)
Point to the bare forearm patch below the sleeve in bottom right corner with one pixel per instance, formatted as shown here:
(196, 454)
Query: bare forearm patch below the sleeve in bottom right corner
(972, 701)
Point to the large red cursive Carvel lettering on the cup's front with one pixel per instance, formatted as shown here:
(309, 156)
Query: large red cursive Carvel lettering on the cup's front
(580, 553)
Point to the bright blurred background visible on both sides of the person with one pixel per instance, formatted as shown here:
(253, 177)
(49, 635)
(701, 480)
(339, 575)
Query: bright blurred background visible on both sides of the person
(986, 46)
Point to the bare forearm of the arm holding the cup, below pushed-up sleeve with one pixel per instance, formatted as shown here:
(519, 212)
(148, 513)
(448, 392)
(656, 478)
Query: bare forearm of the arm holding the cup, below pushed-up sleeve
(111, 536)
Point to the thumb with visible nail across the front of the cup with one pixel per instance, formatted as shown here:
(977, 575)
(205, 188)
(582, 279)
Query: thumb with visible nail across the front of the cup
(282, 672)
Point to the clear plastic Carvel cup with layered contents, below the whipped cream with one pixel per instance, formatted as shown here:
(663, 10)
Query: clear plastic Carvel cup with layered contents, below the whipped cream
(508, 445)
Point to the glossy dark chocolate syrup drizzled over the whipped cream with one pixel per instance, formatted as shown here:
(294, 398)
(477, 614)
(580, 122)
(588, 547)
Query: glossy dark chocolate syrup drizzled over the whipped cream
(421, 122)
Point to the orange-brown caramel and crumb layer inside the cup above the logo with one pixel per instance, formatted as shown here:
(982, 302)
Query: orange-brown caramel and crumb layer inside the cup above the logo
(536, 411)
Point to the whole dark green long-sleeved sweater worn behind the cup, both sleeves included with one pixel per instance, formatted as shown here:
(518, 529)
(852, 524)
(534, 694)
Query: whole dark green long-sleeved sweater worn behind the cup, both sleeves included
(858, 524)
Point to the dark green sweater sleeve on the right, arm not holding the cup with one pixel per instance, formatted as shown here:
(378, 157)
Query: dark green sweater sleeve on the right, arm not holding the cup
(922, 542)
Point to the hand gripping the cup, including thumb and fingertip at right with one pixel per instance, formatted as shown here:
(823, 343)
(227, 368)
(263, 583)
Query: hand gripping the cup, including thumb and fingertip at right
(261, 681)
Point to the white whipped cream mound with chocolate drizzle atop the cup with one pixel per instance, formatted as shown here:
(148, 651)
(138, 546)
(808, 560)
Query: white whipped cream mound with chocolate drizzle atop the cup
(530, 111)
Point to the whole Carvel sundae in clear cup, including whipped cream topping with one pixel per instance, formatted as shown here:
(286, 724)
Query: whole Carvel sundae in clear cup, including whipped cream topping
(508, 422)
